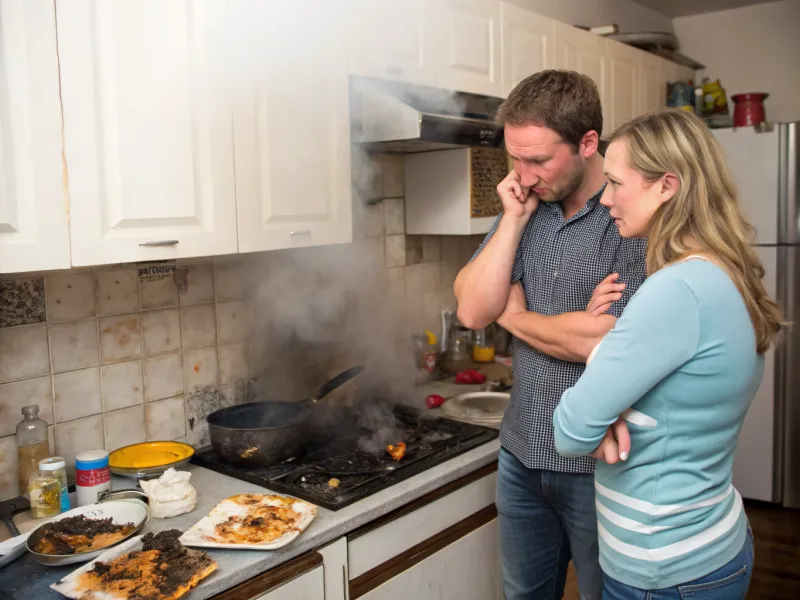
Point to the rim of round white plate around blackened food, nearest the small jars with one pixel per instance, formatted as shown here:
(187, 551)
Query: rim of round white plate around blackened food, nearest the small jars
(120, 511)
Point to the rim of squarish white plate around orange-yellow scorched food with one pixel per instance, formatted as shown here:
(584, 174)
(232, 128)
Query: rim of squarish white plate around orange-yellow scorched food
(197, 535)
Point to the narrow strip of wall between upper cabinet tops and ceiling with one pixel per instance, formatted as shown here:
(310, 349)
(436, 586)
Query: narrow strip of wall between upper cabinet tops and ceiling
(630, 16)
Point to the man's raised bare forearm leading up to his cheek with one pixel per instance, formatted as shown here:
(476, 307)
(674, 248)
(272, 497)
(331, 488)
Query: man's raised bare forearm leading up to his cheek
(481, 287)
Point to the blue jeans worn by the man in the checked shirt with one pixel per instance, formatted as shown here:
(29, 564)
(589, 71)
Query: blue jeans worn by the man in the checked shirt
(545, 518)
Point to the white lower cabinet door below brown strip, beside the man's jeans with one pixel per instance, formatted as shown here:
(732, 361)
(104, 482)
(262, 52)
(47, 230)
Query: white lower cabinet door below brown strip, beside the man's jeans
(467, 568)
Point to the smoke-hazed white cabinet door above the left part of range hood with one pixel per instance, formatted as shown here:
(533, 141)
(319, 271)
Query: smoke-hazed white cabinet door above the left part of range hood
(388, 40)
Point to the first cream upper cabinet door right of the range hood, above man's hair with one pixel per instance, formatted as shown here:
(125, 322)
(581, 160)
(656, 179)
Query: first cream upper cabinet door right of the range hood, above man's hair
(526, 45)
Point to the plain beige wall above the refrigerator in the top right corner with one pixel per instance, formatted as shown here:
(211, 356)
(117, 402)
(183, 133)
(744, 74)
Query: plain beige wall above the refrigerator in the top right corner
(751, 49)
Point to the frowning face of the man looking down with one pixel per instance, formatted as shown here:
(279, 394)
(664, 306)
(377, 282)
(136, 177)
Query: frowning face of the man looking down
(550, 167)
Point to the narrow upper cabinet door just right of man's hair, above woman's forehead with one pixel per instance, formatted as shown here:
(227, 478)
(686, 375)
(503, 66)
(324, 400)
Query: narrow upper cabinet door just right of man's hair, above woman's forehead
(623, 87)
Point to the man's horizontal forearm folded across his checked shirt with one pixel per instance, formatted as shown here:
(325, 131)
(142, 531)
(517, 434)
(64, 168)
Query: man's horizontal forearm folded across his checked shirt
(568, 336)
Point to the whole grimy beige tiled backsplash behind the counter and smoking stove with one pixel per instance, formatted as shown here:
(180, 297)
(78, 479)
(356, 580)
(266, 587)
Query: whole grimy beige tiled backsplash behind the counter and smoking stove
(117, 355)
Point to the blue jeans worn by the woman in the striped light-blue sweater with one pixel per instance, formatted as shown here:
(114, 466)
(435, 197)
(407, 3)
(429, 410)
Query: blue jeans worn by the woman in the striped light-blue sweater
(727, 583)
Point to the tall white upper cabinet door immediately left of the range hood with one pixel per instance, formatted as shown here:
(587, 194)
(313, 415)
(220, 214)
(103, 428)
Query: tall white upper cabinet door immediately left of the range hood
(291, 125)
